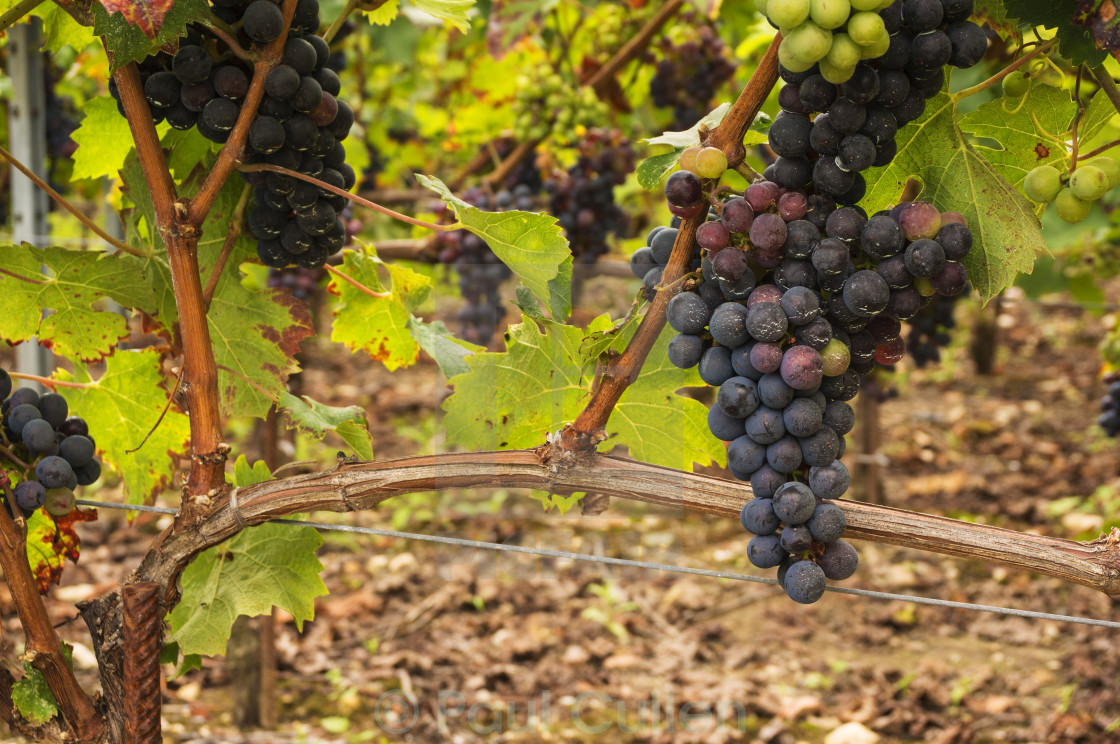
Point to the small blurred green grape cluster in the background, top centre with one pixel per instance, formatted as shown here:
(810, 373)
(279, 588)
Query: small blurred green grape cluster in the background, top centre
(547, 103)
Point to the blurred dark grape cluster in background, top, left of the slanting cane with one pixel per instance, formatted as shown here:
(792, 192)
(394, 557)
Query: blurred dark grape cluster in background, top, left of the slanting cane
(690, 73)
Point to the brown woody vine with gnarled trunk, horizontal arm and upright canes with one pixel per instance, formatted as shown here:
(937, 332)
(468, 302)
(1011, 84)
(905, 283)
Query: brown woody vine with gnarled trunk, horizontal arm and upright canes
(206, 517)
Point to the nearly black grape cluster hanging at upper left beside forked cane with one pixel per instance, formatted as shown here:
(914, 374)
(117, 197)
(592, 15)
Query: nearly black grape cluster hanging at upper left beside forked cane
(301, 124)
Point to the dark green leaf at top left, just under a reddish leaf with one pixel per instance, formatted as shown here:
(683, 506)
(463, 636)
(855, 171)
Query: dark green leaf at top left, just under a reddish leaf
(126, 42)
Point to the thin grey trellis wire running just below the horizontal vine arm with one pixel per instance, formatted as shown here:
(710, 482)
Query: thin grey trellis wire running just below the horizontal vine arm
(640, 564)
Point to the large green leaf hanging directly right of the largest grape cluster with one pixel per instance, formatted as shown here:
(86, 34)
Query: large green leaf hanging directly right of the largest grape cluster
(956, 178)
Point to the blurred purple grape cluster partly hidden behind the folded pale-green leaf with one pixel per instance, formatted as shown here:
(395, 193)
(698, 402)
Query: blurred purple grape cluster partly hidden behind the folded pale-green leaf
(481, 272)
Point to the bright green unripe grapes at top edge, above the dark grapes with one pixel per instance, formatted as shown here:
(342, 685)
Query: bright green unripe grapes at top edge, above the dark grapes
(834, 34)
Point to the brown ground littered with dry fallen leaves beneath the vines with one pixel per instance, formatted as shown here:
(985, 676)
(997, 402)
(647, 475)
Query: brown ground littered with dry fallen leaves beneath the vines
(423, 644)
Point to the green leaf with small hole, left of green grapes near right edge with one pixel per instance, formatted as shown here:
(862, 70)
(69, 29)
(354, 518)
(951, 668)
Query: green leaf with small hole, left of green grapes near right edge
(1021, 134)
